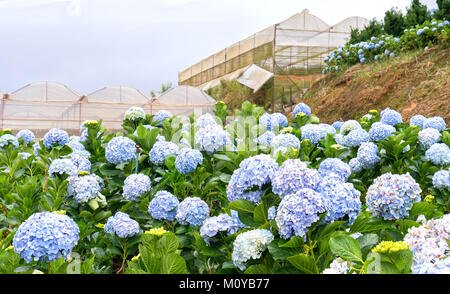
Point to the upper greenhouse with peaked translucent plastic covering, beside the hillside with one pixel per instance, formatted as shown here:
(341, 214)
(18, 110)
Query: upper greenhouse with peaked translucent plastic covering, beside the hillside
(302, 41)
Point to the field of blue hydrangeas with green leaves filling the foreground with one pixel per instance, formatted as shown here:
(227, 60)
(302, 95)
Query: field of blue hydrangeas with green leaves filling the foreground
(220, 194)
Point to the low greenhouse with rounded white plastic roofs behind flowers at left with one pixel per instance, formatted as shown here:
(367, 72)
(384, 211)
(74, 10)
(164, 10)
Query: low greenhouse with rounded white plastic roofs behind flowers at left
(42, 105)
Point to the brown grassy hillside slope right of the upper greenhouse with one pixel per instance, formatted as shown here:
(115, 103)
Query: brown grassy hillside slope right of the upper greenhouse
(413, 83)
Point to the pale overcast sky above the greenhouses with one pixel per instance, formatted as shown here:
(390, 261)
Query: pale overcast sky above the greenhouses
(89, 44)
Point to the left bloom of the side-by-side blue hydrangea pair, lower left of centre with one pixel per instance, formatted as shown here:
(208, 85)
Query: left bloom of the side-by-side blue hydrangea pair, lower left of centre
(163, 206)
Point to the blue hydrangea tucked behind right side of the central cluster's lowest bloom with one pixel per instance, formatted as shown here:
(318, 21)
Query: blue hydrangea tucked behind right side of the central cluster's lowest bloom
(344, 199)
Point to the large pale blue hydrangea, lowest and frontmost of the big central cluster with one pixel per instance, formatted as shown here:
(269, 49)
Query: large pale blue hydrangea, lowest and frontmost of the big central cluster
(297, 212)
